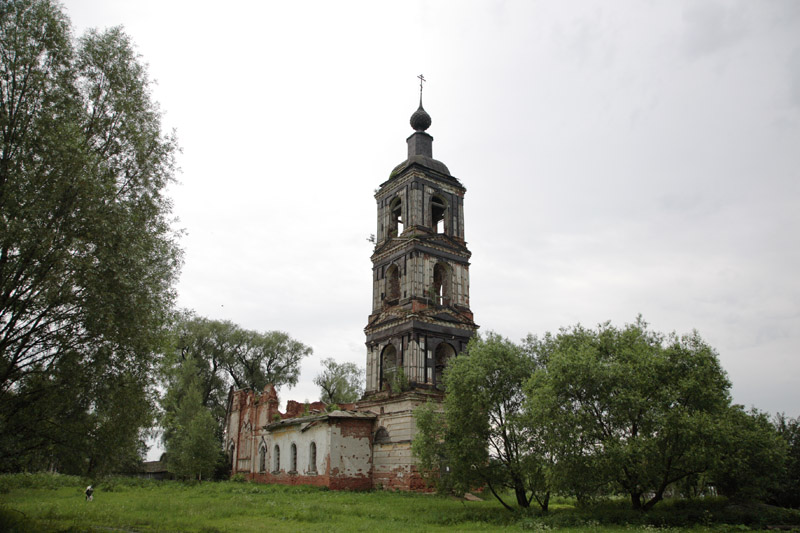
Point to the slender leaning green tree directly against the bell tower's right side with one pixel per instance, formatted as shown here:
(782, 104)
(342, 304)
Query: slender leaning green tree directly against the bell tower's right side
(485, 438)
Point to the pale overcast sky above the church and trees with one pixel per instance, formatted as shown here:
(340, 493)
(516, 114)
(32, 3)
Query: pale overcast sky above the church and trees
(619, 158)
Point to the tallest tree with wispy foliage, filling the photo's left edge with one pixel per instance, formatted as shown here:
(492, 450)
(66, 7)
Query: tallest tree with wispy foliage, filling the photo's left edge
(87, 256)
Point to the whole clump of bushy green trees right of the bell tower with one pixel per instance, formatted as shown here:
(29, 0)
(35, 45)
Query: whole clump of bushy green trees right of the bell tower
(593, 412)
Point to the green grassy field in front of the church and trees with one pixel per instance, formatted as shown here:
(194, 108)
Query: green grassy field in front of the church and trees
(43, 502)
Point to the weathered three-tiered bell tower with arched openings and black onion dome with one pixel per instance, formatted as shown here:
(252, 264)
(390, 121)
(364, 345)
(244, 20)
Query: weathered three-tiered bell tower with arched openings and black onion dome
(420, 273)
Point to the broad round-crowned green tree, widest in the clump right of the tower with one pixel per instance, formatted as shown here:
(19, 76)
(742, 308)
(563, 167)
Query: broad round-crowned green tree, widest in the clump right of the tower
(631, 407)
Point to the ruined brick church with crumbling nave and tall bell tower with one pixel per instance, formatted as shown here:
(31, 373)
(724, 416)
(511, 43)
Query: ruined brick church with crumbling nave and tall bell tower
(420, 318)
